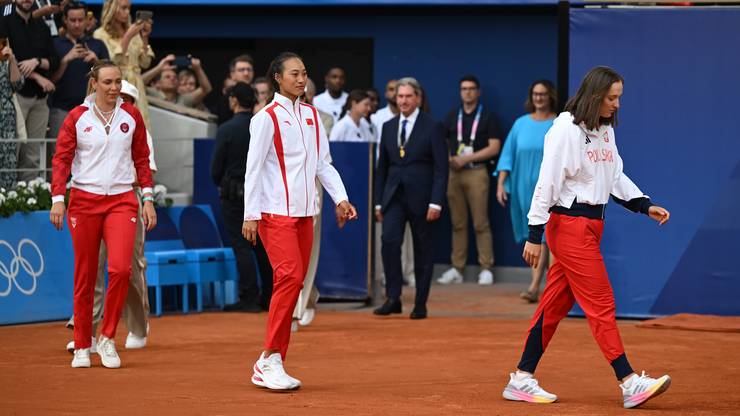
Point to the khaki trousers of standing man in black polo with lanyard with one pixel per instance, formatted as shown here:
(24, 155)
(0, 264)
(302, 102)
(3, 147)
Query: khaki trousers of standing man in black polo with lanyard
(468, 189)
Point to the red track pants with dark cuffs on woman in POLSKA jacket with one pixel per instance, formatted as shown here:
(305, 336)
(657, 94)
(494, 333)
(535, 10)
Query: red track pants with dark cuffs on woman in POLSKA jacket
(578, 274)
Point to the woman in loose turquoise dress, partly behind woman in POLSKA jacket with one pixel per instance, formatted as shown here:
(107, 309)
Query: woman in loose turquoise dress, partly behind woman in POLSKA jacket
(519, 167)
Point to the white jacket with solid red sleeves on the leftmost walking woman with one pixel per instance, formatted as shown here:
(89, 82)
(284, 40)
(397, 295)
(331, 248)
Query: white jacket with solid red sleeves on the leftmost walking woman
(101, 163)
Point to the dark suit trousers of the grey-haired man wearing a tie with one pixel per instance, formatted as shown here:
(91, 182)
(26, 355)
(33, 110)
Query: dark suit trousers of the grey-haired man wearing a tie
(395, 217)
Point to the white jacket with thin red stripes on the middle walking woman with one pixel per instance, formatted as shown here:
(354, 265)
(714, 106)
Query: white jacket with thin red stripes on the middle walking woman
(288, 150)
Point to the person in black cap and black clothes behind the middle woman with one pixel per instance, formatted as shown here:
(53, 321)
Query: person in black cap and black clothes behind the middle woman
(228, 165)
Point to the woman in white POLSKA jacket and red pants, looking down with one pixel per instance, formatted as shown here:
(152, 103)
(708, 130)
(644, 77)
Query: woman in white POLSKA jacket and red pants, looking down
(580, 169)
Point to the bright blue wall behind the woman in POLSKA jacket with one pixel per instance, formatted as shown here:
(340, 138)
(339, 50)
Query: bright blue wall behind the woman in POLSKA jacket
(678, 136)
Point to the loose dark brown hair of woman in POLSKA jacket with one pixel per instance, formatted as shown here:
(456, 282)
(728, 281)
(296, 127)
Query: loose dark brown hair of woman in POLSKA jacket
(585, 106)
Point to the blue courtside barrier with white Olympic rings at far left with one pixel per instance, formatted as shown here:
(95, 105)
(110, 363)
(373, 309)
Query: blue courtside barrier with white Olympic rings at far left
(36, 266)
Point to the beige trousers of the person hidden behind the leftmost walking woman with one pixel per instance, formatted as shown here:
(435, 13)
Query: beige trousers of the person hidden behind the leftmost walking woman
(136, 310)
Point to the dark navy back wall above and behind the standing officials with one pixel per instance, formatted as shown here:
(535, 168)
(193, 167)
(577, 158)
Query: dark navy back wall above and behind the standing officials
(506, 48)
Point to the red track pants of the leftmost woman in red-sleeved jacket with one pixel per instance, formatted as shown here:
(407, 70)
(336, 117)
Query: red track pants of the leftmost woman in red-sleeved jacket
(90, 218)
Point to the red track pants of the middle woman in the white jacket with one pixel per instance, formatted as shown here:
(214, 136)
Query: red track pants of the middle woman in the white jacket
(287, 241)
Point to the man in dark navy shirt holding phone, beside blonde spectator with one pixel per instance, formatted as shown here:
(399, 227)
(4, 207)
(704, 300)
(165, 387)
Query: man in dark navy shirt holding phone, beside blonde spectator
(78, 52)
